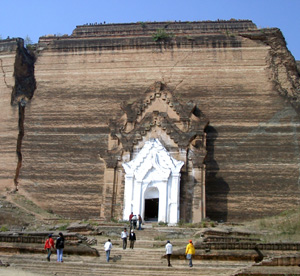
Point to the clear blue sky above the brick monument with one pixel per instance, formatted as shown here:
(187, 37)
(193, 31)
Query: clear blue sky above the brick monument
(35, 18)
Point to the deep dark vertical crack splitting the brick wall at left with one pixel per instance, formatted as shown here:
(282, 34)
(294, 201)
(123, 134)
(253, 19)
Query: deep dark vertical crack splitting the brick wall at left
(22, 92)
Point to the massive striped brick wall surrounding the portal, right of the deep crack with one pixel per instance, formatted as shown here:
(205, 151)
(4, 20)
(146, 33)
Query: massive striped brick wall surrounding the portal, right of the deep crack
(253, 139)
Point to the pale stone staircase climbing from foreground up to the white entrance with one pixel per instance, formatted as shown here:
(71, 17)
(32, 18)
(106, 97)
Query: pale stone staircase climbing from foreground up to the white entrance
(145, 259)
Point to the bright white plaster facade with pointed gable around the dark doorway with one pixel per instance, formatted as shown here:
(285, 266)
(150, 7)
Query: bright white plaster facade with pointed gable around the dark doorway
(153, 173)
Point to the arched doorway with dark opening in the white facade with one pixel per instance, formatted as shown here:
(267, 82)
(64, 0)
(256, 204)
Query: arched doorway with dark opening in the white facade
(151, 206)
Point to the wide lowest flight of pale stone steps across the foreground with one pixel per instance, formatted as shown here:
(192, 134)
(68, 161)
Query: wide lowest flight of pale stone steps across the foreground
(123, 262)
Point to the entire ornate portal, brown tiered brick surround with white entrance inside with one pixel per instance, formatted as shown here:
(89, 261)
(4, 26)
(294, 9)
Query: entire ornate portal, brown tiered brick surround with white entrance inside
(154, 161)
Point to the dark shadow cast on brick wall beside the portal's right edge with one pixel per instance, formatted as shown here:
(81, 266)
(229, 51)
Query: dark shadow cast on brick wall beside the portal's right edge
(217, 188)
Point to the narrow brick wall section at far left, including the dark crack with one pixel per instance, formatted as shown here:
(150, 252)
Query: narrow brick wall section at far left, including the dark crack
(17, 85)
